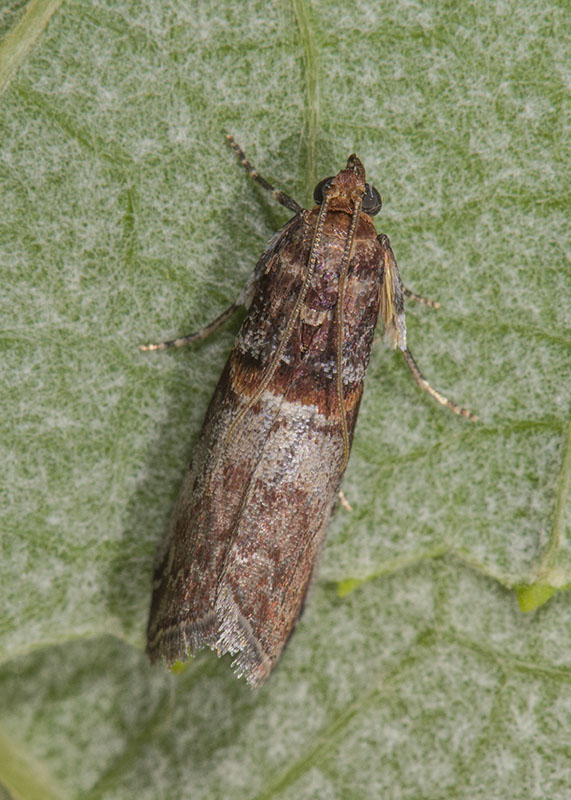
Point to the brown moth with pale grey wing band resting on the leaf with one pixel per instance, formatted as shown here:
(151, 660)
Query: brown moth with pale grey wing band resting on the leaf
(233, 570)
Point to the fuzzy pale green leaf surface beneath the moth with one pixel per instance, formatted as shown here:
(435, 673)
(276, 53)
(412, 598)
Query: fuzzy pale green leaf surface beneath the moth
(126, 219)
